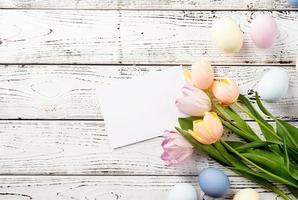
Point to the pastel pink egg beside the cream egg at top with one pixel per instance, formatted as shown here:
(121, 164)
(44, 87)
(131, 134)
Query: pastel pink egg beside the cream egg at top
(263, 31)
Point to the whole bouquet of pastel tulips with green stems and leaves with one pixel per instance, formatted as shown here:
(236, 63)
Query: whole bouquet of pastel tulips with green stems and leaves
(267, 158)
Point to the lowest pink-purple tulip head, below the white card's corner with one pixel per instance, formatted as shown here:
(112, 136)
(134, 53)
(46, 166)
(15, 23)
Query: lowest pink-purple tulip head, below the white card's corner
(176, 148)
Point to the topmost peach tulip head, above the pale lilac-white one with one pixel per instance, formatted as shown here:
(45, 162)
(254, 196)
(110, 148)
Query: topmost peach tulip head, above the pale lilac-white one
(202, 75)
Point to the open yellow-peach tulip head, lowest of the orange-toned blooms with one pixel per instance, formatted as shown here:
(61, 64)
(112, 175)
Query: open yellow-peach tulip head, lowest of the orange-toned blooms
(209, 130)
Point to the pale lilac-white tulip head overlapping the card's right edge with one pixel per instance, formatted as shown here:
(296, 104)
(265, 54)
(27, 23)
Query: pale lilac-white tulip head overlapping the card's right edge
(194, 102)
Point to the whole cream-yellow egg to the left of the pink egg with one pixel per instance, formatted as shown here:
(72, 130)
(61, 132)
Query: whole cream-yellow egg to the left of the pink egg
(227, 35)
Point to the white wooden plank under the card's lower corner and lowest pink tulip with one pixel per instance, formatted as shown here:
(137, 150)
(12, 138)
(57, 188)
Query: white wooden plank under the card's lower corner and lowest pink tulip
(82, 148)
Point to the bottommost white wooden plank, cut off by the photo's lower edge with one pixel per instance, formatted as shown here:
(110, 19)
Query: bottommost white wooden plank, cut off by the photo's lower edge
(105, 187)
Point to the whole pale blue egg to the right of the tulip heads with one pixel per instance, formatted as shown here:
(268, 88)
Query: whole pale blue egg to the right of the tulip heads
(273, 85)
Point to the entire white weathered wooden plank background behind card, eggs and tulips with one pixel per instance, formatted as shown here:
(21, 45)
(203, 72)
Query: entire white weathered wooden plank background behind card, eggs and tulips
(55, 53)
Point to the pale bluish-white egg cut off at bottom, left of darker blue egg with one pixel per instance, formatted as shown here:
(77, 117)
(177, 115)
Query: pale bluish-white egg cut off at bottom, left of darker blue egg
(183, 191)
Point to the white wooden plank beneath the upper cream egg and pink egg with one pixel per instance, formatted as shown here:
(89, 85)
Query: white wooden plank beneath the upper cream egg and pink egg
(147, 37)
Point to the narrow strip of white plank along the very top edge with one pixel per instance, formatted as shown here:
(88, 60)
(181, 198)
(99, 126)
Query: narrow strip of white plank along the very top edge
(143, 4)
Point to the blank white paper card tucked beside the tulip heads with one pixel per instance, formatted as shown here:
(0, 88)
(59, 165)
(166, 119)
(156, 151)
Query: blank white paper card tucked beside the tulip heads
(141, 108)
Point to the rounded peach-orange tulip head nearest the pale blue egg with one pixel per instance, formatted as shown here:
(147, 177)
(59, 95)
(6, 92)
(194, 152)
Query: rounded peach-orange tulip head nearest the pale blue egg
(225, 91)
